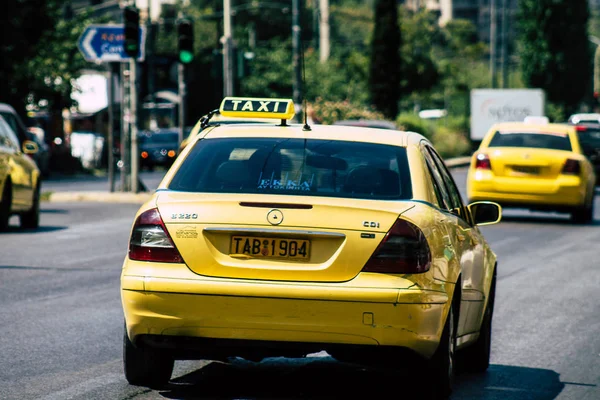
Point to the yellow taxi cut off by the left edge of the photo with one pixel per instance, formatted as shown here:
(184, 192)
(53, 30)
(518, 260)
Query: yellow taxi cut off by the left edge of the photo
(19, 179)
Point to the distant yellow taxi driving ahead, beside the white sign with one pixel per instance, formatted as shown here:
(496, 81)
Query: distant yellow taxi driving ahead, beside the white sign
(535, 165)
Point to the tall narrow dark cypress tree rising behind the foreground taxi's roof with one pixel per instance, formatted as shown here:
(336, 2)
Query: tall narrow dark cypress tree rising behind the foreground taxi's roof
(384, 76)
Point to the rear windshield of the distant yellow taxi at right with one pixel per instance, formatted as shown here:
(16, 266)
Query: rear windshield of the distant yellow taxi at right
(537, 140)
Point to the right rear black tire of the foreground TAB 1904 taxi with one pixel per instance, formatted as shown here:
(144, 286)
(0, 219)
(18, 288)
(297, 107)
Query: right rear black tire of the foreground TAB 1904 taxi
(441, 365)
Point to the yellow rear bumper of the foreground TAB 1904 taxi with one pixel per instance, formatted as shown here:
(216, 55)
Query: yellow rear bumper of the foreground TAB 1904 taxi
(278, 313)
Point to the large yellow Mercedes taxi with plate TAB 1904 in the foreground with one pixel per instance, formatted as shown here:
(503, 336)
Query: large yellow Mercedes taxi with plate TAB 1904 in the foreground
(287, 239)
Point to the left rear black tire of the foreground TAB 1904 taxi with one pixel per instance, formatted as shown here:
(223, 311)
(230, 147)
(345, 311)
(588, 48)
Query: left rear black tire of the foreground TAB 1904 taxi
(144, 366)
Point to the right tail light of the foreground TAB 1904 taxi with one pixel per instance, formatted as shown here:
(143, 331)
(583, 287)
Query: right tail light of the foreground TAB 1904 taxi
(404, 250)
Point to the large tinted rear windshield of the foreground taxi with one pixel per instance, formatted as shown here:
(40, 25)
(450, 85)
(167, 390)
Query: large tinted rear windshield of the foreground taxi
(295, 167)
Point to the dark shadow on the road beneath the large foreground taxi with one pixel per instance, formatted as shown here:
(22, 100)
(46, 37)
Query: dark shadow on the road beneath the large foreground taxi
(326, 378)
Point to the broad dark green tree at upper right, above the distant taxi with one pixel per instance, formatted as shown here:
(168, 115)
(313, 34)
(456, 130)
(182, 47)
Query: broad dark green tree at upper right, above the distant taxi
(554, 48)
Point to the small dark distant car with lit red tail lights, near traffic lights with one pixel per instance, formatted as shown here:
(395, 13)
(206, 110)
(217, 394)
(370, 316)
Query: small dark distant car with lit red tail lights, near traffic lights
(158, 148)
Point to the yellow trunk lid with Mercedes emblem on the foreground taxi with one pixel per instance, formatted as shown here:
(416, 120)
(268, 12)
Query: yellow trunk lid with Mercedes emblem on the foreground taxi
(270, 237)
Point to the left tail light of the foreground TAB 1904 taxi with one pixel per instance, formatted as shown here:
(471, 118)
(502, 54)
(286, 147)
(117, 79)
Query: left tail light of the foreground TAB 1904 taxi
(150, 240)
